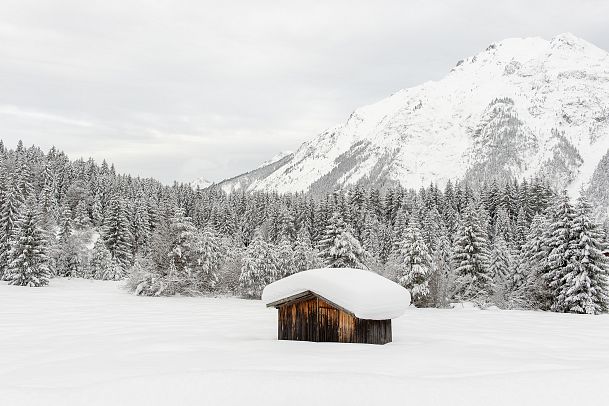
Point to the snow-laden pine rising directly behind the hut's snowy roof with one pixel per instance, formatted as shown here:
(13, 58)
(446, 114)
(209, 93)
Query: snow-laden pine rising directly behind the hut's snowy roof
(338, 248)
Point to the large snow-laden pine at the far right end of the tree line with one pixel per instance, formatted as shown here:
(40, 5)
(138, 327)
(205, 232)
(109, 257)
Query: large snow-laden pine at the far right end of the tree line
(585, 288)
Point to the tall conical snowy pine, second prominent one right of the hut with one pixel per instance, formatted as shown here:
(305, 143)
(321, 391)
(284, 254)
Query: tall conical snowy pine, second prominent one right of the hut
(471, 259)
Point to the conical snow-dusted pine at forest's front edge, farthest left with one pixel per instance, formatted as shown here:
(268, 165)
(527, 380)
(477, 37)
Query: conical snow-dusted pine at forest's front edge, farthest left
(28, 261)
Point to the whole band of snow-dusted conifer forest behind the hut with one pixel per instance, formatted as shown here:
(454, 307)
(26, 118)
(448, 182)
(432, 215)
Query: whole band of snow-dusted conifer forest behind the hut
(512, 244)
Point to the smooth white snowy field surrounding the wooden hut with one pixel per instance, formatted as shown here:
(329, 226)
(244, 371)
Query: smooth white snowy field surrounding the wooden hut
(83, 342)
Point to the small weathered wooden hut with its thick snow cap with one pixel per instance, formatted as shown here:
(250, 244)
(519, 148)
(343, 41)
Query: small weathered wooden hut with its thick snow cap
(336, 305)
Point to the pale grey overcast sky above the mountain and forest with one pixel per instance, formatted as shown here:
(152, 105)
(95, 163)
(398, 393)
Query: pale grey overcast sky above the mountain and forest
(183, 89)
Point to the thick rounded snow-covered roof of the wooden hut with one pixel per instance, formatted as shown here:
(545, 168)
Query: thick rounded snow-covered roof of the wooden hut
(365, 294)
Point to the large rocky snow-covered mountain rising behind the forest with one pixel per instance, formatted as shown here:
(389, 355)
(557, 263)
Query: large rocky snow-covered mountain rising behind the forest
(521, 107)
